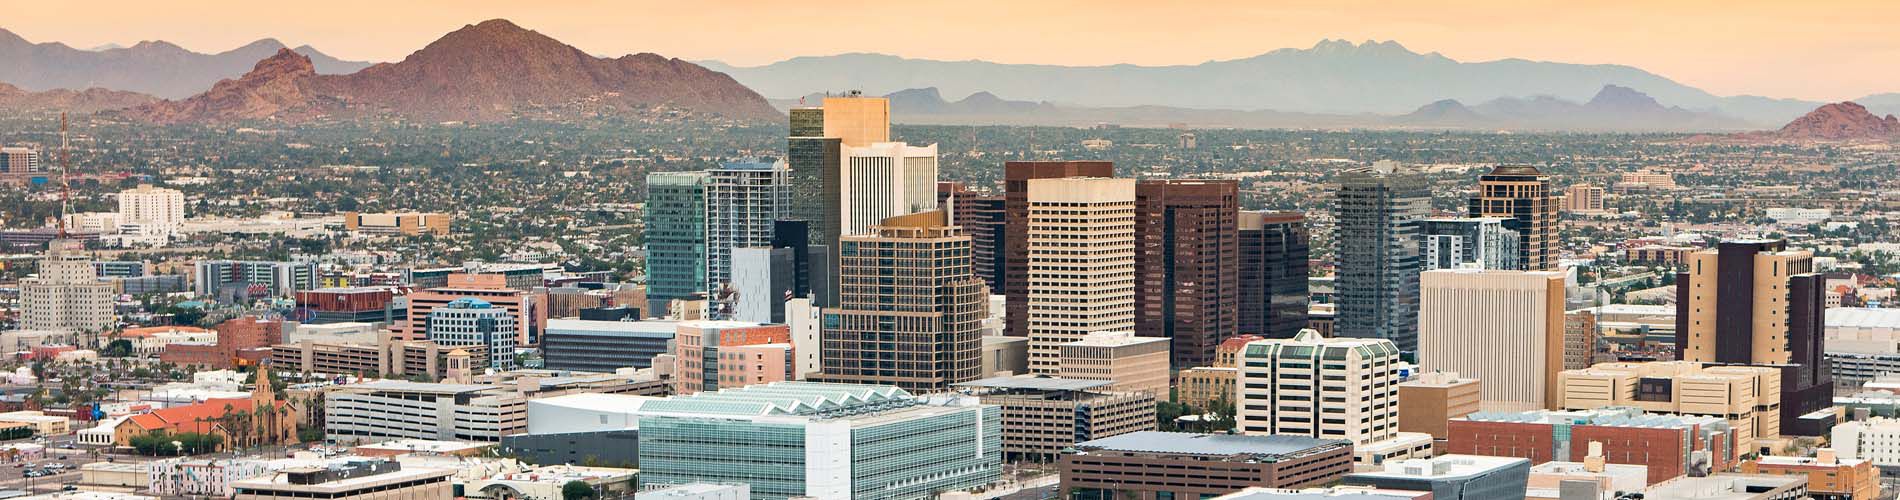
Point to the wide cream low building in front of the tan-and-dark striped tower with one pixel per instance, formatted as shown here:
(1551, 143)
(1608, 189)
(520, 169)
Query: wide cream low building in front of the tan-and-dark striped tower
(1745, 396)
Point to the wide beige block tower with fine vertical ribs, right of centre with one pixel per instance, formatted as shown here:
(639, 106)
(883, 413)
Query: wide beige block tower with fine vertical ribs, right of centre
(1498, 326)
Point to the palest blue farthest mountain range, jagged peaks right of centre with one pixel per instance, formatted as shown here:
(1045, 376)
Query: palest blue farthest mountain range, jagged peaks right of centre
(1335, 77)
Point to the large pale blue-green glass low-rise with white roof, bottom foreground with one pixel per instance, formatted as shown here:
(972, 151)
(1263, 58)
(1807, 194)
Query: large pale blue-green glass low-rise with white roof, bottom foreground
(822, 442)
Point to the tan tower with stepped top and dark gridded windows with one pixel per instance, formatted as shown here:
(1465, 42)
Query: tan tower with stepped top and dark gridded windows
(909, 307)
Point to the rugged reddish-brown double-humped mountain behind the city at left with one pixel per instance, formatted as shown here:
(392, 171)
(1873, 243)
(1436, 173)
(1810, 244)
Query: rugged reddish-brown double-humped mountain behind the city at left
(480, 73)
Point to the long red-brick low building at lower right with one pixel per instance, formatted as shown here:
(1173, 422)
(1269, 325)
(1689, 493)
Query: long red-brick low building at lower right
(1669, 444)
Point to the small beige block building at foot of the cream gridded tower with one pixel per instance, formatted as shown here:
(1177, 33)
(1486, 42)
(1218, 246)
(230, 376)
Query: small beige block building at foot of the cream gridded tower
(1133, 364)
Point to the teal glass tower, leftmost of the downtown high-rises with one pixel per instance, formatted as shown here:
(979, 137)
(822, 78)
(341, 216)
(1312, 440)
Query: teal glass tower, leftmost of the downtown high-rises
(675, 237)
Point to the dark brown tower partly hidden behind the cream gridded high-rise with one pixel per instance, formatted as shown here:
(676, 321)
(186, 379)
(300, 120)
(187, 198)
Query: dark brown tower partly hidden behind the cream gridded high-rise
(1014, 260)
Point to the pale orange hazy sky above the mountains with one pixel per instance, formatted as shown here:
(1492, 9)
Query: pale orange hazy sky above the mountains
(1789, 48)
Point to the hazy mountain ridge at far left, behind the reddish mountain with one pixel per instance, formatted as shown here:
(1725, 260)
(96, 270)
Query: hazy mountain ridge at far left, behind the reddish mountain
(149, 67)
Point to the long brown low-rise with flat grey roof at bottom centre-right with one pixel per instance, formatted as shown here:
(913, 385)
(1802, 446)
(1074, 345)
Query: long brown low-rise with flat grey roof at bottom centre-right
(1168, 465)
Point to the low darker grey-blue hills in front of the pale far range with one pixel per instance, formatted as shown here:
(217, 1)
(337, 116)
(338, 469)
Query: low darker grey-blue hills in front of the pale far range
(1612, 109)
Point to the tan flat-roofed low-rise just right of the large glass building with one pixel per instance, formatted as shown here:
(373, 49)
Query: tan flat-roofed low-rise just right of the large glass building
(1046, 415)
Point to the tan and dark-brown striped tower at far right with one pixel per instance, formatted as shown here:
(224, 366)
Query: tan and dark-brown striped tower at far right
(1755, 301)
